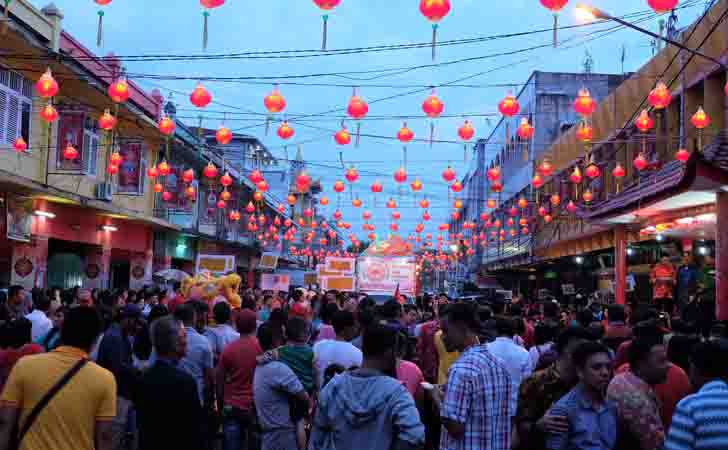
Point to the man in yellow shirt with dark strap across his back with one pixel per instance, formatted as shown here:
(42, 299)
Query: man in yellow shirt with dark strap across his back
(79, 416)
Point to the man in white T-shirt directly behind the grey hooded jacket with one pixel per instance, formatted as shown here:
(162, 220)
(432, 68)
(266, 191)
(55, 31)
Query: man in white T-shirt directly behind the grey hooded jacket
(339, 351)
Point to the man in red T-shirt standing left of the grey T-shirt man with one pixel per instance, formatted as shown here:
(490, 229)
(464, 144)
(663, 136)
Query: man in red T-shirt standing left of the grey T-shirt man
(235, 382)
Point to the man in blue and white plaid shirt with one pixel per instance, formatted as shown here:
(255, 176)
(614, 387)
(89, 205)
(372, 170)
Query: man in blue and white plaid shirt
(476, 411)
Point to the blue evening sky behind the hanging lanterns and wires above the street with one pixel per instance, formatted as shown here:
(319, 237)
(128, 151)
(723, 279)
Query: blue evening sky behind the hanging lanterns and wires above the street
(145, 27)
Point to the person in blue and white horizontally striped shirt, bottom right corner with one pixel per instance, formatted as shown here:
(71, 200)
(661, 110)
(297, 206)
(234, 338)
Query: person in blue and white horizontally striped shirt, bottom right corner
(701, 420)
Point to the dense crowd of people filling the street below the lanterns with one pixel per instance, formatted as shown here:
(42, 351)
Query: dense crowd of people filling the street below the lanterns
(300, 370)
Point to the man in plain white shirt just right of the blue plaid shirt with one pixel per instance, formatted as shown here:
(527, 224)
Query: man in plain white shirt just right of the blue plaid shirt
(513, 356)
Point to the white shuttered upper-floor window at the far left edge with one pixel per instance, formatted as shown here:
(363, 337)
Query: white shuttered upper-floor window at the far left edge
(15, 107)
